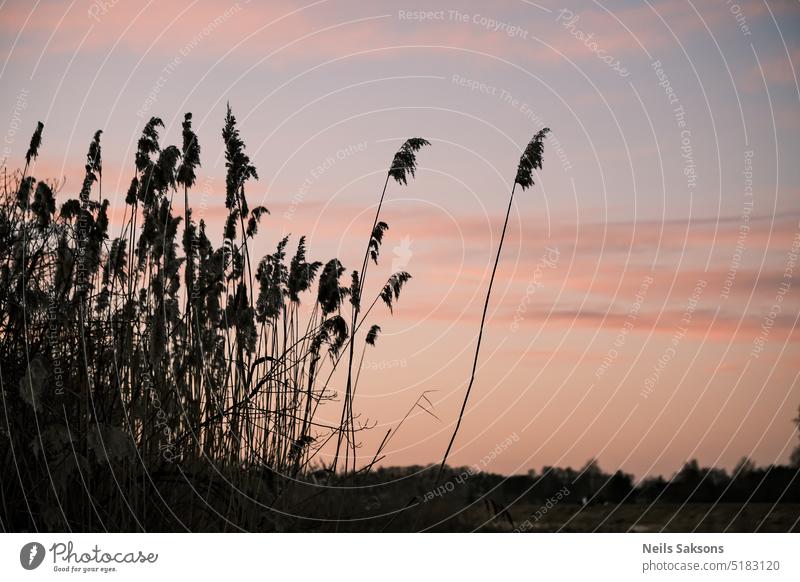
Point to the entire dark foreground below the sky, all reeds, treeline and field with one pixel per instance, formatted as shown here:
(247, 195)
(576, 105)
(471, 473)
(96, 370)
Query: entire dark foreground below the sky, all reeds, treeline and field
(153, 380)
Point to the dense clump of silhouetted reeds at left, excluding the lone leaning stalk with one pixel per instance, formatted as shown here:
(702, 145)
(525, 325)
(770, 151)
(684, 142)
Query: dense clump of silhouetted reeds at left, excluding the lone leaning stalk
(131, 364)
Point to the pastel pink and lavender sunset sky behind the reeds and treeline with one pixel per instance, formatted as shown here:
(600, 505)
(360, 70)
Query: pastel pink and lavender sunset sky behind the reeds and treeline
(645, 310)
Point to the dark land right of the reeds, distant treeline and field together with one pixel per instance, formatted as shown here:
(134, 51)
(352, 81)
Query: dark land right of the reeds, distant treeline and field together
(418, 498)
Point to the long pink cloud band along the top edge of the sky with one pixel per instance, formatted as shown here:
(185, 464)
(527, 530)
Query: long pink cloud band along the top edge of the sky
(321, 31)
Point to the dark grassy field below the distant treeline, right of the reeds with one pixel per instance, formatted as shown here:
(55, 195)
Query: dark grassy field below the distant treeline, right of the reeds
(402, 508)
